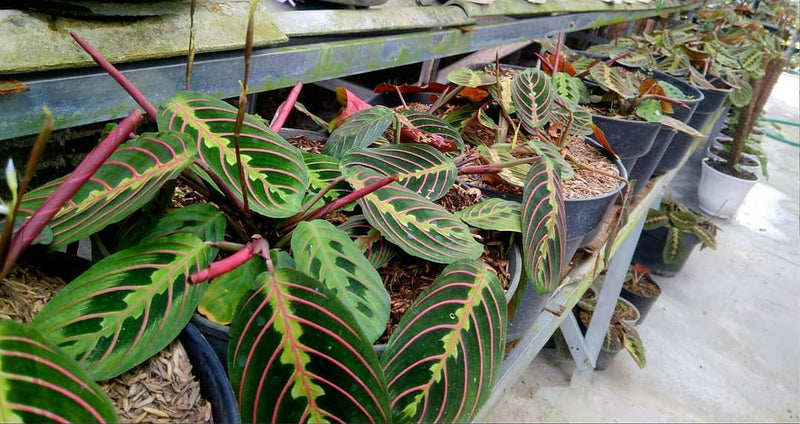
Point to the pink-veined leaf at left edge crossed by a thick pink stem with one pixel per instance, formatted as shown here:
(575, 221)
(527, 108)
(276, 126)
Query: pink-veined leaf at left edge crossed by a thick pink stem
(127, 180)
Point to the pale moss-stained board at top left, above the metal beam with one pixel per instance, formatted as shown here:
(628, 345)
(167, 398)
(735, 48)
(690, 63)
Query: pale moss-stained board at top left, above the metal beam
(31, 41)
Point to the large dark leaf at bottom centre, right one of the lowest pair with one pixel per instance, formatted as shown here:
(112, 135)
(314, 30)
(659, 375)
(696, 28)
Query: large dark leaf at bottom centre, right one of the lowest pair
(443, 359)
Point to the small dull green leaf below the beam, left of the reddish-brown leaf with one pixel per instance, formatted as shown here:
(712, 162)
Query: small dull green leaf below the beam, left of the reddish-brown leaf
(359, 130)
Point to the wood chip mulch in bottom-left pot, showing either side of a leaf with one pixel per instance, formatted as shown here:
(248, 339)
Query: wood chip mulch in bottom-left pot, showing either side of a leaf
(161, 389)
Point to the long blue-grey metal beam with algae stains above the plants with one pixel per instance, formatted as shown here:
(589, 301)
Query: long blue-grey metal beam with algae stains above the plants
(87, 95)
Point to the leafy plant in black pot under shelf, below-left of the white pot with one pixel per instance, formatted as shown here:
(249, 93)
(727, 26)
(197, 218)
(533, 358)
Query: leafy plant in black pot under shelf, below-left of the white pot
(670, 235)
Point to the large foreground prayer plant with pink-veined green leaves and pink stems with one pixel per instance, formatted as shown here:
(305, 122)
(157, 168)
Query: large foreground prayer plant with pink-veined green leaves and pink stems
(304, 297)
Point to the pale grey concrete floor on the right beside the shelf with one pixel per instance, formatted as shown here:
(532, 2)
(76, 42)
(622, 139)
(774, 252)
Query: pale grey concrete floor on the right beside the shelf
(723, 340)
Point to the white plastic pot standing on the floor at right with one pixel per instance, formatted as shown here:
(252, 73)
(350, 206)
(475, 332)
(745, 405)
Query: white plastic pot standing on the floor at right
(721, 194)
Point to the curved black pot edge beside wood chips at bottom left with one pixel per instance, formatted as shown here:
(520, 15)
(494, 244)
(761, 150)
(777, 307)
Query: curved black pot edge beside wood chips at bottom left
(214, 384)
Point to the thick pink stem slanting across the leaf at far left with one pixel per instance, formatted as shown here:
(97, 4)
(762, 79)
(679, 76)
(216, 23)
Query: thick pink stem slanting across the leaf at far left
(31, 229)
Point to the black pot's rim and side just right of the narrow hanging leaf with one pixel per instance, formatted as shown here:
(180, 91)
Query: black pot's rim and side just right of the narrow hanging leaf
(585, 215)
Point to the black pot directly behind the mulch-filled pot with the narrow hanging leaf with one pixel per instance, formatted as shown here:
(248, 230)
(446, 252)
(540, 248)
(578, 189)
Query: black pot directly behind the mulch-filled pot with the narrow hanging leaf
(629, 139)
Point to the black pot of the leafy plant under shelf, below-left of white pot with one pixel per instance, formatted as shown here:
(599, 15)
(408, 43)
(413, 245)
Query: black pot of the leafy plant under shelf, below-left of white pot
(650, 248)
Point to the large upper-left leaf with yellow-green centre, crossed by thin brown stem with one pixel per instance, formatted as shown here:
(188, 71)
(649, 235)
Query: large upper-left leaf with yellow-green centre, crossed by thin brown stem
(276, 176)
